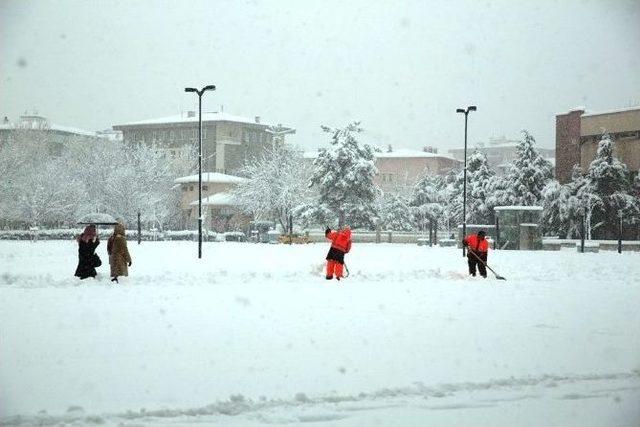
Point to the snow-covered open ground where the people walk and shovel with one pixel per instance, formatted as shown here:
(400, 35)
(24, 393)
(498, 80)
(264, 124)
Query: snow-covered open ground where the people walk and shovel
(254, 335)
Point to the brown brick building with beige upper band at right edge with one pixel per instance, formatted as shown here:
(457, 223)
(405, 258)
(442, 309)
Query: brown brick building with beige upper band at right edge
(578, 135)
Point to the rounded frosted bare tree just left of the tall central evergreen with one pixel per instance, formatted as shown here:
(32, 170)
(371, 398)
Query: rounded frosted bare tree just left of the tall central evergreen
(276, 185)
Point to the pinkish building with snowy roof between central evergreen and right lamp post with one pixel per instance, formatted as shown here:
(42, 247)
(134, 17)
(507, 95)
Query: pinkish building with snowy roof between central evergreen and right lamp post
(400, 169)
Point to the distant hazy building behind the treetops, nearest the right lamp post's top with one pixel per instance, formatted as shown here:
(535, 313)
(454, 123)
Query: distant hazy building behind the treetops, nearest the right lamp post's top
(500, 152)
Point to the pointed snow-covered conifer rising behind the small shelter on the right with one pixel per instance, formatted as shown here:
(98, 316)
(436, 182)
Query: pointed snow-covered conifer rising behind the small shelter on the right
(526, 178)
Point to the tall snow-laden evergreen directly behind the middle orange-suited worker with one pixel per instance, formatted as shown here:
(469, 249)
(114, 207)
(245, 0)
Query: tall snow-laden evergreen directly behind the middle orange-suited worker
(343, 175)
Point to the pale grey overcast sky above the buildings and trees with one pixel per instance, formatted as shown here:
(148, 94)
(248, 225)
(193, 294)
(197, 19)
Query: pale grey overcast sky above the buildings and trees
(401, 67)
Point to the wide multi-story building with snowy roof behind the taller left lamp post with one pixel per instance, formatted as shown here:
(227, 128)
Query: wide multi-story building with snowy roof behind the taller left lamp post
(227, 140)
